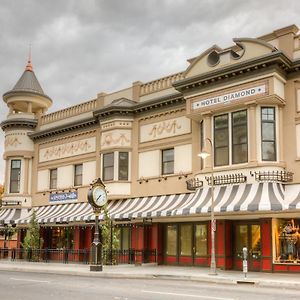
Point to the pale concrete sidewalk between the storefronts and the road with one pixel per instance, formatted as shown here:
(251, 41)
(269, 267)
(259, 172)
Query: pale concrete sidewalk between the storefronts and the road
(152, 271)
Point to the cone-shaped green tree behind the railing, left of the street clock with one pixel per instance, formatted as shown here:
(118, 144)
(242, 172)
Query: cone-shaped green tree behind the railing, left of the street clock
(32, 239)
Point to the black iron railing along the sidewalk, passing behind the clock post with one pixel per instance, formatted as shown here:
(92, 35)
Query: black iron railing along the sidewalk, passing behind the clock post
(130, 256)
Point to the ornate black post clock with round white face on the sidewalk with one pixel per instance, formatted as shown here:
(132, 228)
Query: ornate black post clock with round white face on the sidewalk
(97, 197)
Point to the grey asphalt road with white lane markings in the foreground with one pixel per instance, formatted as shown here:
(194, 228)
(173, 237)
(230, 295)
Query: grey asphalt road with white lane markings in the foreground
(34, 286)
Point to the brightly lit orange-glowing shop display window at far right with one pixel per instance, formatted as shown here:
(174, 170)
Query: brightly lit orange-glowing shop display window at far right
(287, 240)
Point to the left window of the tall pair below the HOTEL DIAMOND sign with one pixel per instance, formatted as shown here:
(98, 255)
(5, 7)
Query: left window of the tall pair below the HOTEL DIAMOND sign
(221, 140)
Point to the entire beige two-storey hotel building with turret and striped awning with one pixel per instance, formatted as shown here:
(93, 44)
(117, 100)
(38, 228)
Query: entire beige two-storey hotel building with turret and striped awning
(242, 104)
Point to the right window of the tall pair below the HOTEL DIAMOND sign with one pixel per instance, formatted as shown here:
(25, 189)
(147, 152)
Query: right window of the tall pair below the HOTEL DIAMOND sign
(239, 137)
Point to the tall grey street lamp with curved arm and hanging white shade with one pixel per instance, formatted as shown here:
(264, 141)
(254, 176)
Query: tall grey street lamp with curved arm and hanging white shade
(205, 154)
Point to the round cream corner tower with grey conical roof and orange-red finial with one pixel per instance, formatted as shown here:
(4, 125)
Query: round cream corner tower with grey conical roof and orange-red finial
(26, 102)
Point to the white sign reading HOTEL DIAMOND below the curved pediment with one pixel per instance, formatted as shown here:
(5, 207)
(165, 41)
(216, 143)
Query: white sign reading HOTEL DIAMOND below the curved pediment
(230, 97)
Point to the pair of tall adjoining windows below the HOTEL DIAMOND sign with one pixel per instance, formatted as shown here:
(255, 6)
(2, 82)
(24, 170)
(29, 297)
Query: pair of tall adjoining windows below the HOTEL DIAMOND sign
(230, 137)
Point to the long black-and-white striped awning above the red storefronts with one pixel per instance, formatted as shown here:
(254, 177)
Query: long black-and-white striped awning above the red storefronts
(248, 198)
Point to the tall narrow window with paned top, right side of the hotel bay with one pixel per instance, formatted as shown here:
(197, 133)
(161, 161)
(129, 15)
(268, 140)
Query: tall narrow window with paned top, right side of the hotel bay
(268, 134)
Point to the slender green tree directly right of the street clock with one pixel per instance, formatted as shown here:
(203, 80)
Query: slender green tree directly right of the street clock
(109, 239)
